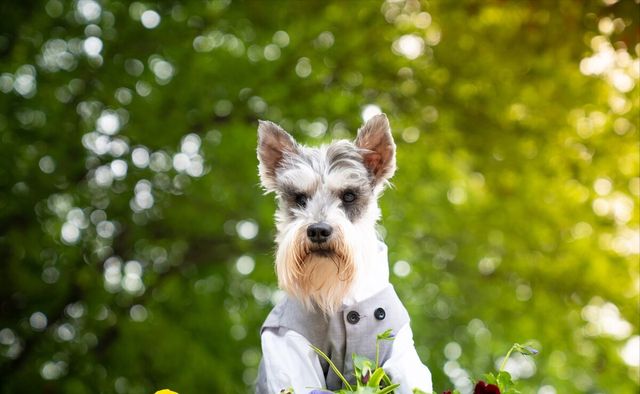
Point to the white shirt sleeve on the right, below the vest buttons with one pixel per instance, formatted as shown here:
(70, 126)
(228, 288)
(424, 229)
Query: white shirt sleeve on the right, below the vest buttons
(404, 365)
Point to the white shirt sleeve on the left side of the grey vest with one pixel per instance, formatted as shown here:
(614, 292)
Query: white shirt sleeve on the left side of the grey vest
(289, 361)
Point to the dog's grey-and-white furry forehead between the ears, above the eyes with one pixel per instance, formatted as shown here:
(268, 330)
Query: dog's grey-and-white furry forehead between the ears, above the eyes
(335, 166)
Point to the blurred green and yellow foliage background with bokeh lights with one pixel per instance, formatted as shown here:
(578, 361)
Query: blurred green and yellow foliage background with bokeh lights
(135, 251)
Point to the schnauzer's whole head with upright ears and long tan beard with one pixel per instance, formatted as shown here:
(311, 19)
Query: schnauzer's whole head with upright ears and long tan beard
(327, 207)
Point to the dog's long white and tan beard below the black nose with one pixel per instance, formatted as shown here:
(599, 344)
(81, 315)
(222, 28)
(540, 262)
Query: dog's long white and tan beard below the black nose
(316, 274)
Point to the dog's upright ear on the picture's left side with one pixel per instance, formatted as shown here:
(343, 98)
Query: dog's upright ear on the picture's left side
(273, 144)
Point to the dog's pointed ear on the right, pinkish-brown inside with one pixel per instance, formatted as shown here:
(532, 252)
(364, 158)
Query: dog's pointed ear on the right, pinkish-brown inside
(379, 155)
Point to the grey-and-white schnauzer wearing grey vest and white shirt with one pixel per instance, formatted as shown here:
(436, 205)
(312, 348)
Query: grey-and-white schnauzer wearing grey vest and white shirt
(331, 263)
